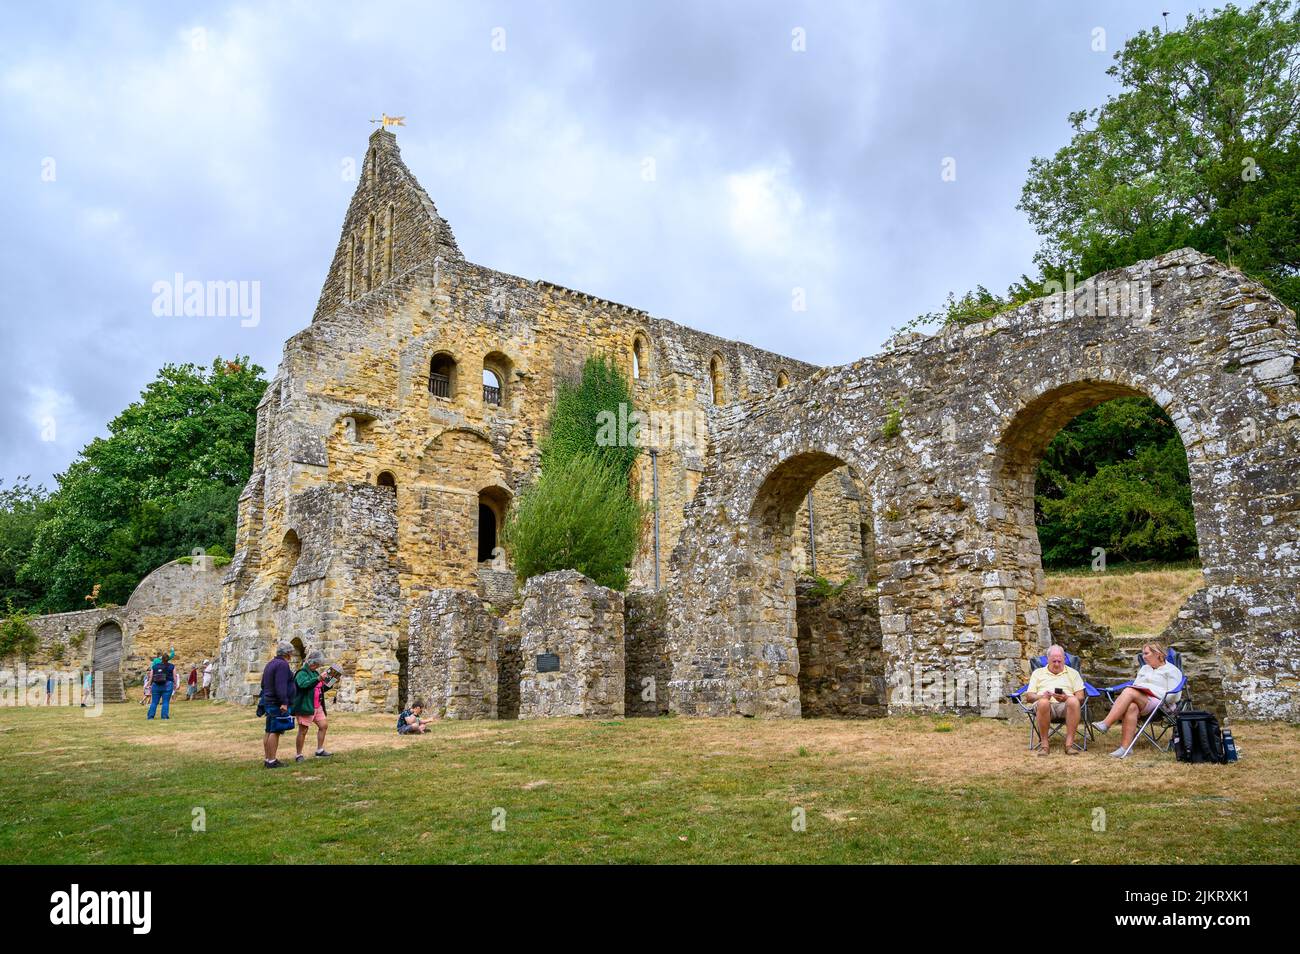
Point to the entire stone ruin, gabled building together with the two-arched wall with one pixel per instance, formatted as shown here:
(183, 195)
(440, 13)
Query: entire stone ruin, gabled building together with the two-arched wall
(404, 420)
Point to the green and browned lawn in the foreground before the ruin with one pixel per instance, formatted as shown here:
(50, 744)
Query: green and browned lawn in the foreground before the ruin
(915, 790)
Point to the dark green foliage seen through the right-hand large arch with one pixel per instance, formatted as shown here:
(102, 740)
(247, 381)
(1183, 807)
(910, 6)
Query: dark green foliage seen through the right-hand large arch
(1116, 478)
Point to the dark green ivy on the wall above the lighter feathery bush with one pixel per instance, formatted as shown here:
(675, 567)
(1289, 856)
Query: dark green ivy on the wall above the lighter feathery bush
(584, 410)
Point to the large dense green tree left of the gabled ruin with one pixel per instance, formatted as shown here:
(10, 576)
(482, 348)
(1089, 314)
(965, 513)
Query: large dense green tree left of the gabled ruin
(164, 482)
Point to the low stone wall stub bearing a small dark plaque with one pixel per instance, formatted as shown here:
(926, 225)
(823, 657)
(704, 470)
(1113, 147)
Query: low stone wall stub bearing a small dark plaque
(571, 617)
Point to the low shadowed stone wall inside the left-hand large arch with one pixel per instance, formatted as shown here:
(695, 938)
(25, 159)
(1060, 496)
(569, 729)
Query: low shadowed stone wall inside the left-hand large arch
(842, 662)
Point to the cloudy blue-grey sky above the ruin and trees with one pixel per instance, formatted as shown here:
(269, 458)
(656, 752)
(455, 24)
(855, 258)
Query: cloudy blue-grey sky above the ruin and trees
(683, 158)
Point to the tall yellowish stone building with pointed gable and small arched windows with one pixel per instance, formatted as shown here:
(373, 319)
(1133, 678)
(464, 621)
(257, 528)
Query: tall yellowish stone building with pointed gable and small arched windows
(353, 402)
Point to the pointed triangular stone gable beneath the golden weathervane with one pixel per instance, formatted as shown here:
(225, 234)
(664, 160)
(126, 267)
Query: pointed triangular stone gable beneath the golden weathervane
(392, 226)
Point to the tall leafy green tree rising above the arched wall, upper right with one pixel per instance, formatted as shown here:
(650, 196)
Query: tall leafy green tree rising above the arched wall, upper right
(1202, 148)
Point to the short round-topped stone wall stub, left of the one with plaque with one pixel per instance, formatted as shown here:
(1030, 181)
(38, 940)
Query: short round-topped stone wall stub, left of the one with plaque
(453, 656)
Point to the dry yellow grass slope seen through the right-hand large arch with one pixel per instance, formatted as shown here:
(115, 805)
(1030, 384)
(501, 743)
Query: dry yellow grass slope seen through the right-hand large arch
(1130, 604)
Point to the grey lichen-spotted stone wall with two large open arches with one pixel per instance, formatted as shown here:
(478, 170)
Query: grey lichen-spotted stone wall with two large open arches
(948, 428)
